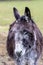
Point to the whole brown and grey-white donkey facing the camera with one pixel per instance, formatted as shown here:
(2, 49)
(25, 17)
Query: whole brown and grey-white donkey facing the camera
(24, 41)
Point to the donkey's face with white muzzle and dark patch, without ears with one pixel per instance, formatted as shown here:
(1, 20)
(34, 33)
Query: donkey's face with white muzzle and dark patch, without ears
(24, 39)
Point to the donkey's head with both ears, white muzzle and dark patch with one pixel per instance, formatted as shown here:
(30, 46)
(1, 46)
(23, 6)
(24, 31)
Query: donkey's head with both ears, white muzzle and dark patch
(22, 33)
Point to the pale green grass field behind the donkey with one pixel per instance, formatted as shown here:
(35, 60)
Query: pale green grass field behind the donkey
(6, 11)
